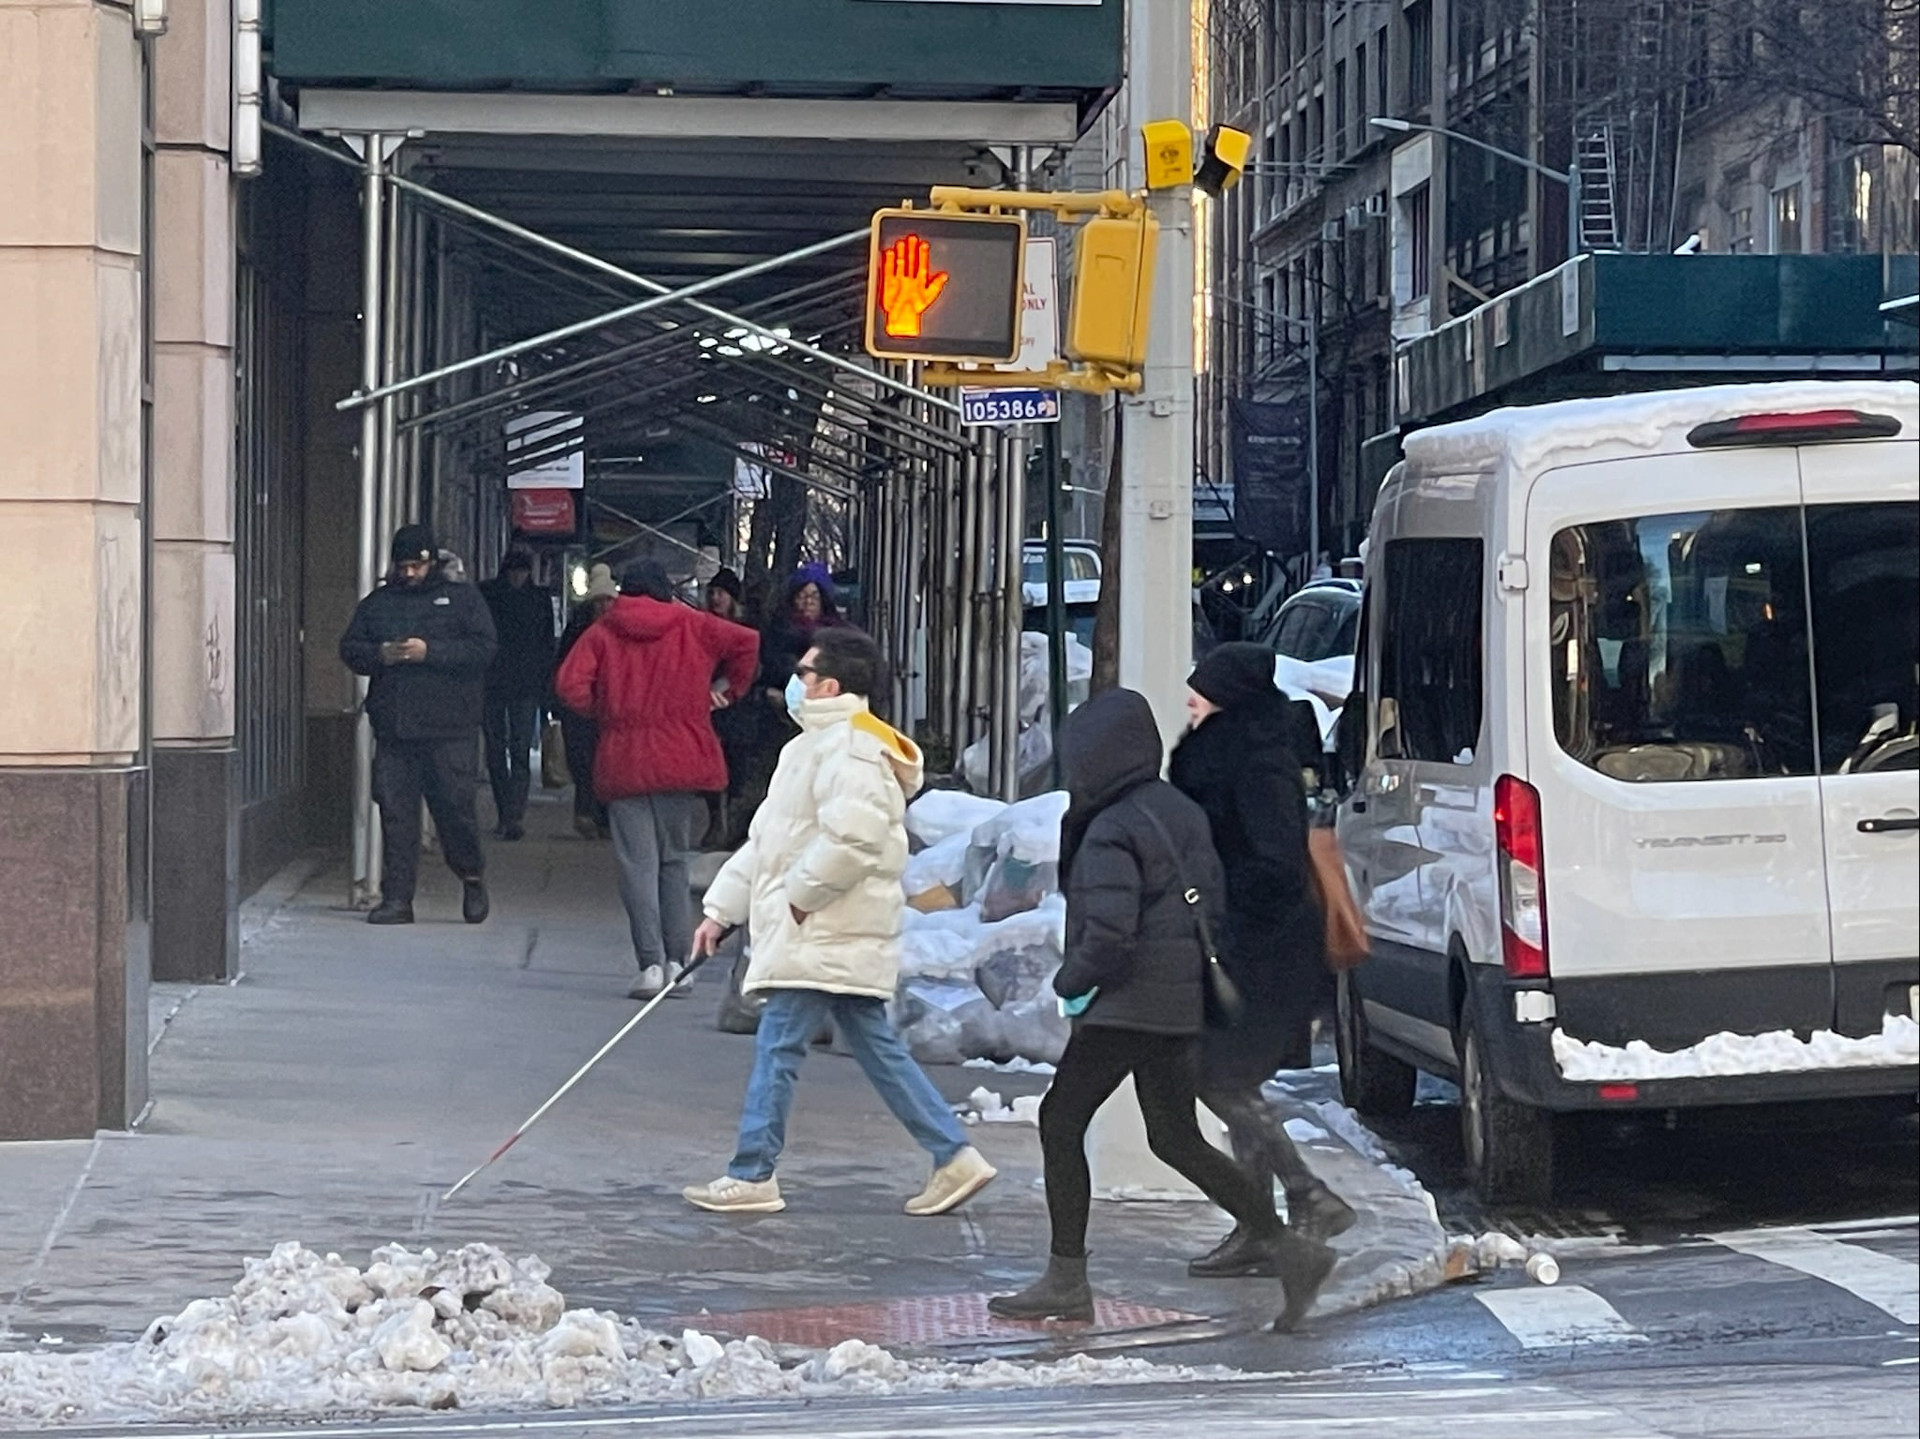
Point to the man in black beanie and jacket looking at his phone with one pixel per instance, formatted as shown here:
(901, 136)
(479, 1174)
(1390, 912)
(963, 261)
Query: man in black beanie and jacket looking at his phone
(425, 645)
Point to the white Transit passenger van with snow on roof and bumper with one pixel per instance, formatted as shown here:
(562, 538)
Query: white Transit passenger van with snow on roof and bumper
(1637, 808)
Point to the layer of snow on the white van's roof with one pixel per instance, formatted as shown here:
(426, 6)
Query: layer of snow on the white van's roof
(1577, 431)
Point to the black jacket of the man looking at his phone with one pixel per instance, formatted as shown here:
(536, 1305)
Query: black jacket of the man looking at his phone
(439, 698)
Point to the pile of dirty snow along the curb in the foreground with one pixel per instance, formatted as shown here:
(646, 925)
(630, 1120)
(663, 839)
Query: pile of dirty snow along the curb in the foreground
(308, 1336)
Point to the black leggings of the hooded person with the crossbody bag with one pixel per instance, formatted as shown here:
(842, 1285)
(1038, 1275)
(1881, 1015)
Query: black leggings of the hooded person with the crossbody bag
(1164, 1073)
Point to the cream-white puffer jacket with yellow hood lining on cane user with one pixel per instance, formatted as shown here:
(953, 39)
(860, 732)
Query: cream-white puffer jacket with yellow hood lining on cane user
(830, 841)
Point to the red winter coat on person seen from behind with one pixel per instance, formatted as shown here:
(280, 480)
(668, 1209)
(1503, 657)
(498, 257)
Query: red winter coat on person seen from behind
(644, 673)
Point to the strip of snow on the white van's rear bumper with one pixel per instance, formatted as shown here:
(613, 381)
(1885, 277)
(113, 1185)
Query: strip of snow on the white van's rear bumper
(1779, 1052)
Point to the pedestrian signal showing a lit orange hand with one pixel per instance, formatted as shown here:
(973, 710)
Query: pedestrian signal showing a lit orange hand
(946, 287)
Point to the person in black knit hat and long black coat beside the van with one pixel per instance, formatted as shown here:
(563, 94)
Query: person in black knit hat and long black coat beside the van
(1241, 764)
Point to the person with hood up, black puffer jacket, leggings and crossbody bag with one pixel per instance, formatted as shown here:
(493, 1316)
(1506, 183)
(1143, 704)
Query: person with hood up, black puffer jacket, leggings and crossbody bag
(1136, 977)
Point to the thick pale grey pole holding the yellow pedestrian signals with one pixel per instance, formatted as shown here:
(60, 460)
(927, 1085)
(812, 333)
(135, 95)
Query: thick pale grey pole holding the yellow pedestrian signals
(1155, 564)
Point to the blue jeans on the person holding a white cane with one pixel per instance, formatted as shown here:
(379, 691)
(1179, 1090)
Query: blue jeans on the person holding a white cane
(788, 1025)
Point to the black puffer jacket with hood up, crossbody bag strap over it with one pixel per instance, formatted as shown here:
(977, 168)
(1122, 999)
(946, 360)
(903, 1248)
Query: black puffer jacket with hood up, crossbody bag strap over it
(1132, 933)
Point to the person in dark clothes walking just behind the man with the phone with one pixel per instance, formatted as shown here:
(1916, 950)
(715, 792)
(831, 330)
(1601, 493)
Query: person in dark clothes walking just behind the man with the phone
(516, 685)
